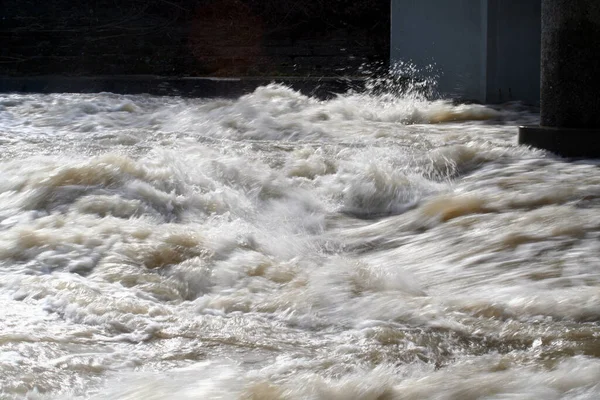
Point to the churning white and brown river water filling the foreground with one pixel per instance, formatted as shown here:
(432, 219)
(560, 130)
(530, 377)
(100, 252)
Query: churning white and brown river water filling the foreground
(278, 246)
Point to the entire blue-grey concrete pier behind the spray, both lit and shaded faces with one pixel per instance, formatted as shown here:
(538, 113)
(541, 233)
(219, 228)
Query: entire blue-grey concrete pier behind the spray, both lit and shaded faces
(483, 50)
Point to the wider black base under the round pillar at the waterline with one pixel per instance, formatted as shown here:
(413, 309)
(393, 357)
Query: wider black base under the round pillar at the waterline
(576, 143)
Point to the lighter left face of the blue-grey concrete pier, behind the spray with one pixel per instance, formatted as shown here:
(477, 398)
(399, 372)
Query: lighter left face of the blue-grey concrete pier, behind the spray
(447, 35)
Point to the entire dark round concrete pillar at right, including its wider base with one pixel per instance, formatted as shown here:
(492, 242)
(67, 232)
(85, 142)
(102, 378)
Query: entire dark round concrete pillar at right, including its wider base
(570, 80)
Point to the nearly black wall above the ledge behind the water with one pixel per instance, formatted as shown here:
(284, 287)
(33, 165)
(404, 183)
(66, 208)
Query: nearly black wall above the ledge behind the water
(192, 37)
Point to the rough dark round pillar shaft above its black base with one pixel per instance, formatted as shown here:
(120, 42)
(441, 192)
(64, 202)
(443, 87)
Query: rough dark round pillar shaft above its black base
(571, 64)
